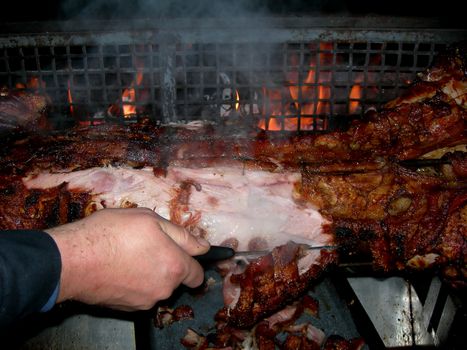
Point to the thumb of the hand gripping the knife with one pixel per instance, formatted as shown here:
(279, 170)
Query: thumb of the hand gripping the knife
(191, 244)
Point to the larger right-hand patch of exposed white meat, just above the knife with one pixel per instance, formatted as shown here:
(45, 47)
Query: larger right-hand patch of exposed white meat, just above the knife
(247, 204)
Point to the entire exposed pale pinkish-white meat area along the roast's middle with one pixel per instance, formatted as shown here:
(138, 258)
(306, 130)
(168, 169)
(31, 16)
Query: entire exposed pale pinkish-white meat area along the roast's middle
(233, 202)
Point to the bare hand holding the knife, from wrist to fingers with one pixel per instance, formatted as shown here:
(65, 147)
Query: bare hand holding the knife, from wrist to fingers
(126, 259)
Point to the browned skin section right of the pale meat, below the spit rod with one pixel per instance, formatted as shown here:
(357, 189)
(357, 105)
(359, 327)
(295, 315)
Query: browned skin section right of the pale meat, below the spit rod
(398, 218)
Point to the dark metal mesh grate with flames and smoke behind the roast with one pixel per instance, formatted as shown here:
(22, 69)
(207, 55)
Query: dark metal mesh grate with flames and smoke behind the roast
(287, 77)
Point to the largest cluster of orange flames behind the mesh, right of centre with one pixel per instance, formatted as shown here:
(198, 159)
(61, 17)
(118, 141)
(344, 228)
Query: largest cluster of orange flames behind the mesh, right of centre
(309, 99)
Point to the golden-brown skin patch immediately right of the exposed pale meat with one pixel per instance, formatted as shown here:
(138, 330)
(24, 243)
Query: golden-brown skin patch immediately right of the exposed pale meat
(372, 195)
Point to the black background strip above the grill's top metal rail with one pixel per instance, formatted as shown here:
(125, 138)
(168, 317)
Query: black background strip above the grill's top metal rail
(48, 10)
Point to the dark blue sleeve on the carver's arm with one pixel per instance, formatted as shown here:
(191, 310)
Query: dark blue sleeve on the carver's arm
(30, 267)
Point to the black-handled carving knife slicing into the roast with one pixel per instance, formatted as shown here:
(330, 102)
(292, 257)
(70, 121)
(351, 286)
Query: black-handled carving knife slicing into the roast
(218, 253)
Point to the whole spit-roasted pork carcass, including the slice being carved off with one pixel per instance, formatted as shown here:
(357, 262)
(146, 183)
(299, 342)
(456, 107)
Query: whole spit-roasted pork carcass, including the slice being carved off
(253, 190)
